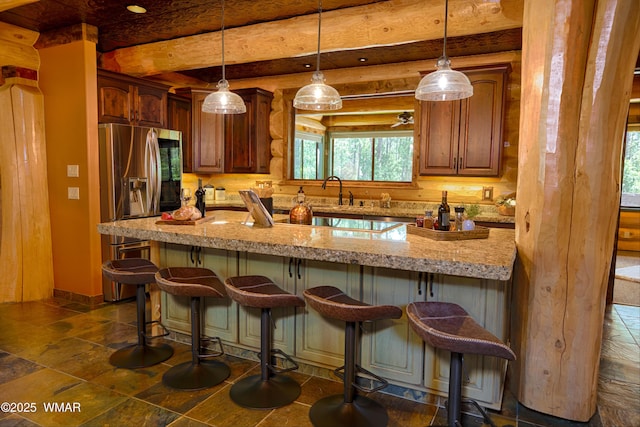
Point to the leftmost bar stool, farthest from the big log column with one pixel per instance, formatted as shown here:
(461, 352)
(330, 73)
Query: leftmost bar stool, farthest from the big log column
(138, 272)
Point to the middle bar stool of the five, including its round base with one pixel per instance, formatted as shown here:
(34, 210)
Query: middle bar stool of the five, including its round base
(268, 390)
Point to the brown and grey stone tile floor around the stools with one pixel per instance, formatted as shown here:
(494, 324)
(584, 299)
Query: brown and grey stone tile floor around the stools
(58, 351)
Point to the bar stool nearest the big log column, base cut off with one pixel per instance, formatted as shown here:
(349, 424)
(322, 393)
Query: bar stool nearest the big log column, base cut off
(449, 327)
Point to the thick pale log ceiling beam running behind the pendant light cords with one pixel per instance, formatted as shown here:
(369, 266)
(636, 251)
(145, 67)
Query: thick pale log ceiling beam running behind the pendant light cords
(380, 24)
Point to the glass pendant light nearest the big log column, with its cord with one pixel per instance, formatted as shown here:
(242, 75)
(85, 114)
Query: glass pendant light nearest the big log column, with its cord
(444, 84)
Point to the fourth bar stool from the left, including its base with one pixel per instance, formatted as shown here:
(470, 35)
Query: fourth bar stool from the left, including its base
(349, 409)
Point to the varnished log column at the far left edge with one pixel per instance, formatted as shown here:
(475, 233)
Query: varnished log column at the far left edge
(25, 241)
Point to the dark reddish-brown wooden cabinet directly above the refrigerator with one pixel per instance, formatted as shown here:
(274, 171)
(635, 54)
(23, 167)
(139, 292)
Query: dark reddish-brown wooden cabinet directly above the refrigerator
(127, 100)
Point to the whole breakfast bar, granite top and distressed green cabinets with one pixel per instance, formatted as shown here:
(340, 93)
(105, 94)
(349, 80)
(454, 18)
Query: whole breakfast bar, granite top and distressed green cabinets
(378, 264)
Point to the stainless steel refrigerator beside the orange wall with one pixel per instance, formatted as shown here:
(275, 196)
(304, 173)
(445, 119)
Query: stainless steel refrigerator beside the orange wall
(140, 176)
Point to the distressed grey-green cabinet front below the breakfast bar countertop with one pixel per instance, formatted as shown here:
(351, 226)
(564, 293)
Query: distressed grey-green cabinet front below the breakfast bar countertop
(389, 348)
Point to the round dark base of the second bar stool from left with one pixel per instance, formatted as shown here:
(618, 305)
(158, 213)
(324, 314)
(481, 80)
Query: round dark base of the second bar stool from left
(191, 376)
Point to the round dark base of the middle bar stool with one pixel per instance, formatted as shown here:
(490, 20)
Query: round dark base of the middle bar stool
(254, 393)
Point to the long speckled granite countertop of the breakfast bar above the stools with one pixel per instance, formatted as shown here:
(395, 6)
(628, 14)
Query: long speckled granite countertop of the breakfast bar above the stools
(490, 258)
